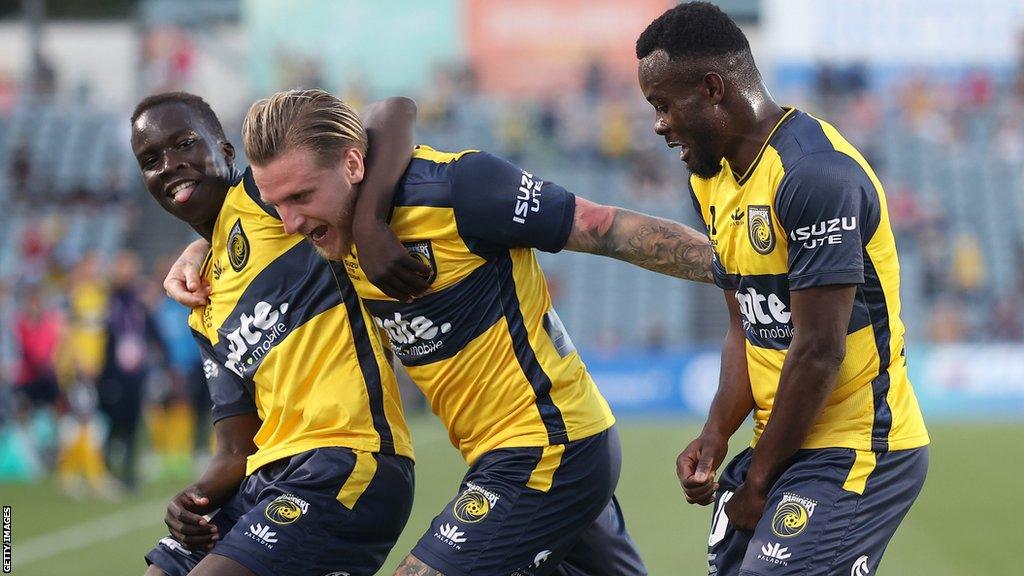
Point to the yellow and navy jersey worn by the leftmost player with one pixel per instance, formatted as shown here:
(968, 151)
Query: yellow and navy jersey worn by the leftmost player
(284, 335)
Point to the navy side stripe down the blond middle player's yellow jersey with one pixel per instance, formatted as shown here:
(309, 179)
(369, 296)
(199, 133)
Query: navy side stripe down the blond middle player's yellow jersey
(540, 381)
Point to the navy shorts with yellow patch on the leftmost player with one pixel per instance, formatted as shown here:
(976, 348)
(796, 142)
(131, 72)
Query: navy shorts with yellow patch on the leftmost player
(326, 511)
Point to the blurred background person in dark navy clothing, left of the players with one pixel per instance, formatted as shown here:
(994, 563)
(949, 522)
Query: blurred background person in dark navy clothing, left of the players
(131, 334)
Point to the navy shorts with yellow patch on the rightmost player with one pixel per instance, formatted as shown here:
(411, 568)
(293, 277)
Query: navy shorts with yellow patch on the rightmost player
(833, 512)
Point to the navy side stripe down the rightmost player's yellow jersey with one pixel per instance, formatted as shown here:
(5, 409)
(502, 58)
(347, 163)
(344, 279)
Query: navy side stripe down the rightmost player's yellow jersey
(875, 300)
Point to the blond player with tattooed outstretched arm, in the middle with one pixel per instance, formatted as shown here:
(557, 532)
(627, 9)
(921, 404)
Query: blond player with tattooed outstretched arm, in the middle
(485, 346)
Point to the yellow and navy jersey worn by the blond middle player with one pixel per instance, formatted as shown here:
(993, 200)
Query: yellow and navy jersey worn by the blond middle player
(486, 346)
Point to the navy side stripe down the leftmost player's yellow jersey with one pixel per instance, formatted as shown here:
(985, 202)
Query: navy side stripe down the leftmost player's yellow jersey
(367, 358)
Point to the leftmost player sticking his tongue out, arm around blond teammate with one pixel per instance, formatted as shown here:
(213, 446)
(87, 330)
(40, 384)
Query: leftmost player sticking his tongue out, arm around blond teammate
(313, 472)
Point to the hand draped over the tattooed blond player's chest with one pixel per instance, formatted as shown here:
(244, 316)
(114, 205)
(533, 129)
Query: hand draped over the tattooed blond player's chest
(388, 264)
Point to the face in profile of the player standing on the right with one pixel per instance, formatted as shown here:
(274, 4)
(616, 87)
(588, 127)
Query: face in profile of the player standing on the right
(685, 115)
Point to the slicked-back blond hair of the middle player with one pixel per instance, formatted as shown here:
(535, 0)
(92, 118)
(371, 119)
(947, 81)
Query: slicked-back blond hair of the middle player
(312, 119)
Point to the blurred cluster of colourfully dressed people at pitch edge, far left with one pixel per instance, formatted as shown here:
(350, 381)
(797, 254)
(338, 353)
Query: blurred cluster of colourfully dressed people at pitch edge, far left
(93, 359)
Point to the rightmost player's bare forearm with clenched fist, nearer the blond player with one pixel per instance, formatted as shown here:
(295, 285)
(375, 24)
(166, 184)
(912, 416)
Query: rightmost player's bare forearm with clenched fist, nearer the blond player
(697, 466)
